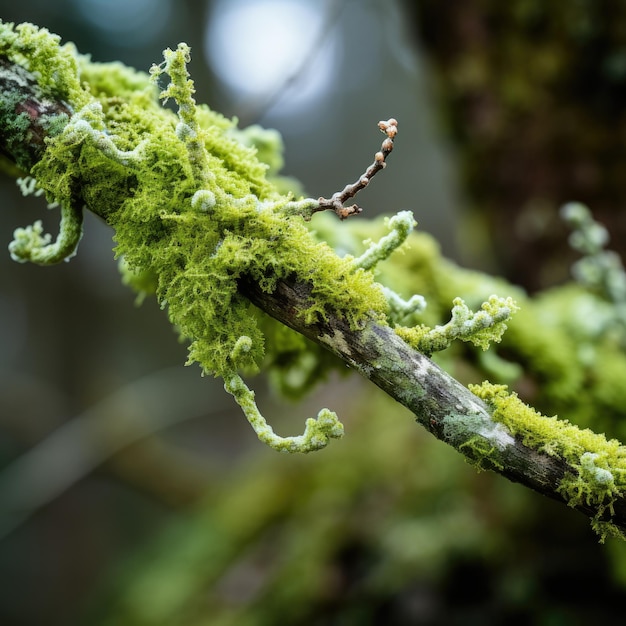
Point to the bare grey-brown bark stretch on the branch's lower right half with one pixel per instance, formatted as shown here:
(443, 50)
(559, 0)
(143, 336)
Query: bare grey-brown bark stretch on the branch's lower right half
(438, 401)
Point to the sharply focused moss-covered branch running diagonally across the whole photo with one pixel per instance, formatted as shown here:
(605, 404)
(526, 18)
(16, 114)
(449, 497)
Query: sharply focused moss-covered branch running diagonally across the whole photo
(192, 207)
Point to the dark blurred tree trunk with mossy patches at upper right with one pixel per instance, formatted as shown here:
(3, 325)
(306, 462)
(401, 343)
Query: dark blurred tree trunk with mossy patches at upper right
(533, 94)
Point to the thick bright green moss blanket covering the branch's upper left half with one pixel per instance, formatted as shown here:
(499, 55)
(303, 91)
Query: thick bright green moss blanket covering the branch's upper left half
(192, 206)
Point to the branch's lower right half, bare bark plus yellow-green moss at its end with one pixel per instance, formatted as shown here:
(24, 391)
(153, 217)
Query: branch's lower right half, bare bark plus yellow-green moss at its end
(492, 434)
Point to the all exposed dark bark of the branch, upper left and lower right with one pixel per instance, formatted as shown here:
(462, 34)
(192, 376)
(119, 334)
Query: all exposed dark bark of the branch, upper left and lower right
(440, 403)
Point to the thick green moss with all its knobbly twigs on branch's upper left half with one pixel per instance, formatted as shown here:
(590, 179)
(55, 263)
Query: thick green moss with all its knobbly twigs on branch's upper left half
(194, 213)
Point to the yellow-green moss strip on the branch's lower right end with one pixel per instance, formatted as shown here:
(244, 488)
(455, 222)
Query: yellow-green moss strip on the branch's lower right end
(598, 476)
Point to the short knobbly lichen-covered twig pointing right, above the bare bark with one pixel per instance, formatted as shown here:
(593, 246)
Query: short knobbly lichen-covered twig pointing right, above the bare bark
(480, 328)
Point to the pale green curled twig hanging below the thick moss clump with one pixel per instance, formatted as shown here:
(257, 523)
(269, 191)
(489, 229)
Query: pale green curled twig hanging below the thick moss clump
(317, 433)
